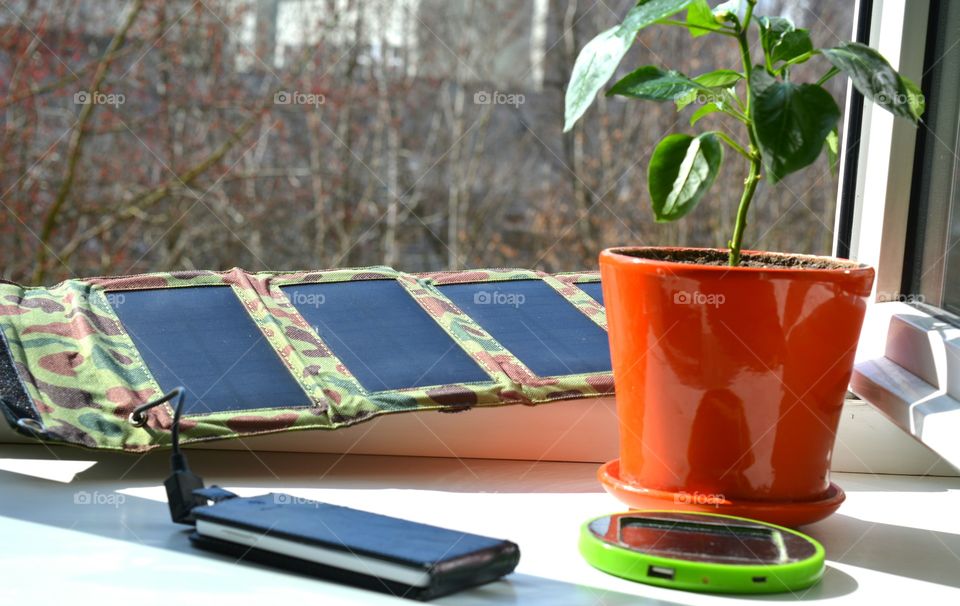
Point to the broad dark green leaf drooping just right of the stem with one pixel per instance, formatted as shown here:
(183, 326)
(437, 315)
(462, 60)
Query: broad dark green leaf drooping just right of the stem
(791, 121)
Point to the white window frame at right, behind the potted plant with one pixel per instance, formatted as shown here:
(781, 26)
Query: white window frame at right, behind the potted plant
(904, 358)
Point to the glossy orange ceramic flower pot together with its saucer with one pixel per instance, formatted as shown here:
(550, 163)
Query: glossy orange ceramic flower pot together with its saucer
(730, 381)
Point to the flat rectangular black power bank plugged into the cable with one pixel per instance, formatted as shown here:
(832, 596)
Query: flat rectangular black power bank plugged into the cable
(381, 553)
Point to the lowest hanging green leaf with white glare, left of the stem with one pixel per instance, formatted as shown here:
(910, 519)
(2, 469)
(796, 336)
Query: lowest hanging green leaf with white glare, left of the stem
(681, 171)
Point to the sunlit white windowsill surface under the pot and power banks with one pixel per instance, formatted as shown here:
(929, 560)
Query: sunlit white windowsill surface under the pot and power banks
(894, 537)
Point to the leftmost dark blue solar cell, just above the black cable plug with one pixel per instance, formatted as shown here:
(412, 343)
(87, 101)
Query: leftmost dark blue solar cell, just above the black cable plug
(202, 339)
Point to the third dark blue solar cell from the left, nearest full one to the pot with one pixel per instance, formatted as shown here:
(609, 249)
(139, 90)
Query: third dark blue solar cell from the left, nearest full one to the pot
(537, 324)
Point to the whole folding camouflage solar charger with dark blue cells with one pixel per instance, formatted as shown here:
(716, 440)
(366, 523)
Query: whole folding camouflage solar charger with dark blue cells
(267, 352)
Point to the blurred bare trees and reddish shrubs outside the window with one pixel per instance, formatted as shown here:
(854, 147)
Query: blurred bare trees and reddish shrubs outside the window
(144, 135)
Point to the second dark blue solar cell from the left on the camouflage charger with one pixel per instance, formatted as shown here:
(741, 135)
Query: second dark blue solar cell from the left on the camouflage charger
(382, 335)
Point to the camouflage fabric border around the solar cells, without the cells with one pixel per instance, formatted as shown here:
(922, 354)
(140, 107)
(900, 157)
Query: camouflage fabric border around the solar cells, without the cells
(84, 376)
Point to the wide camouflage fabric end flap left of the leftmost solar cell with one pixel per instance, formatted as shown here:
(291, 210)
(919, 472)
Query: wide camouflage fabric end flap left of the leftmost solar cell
(80, 369)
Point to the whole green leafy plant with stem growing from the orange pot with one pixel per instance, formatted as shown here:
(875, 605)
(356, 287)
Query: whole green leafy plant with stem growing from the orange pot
(787, 123)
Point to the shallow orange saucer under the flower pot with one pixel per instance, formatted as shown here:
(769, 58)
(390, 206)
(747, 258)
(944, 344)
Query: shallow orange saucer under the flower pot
(785, 513)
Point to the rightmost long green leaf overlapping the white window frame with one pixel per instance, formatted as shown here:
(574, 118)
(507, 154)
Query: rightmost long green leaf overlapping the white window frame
(876, 80)
